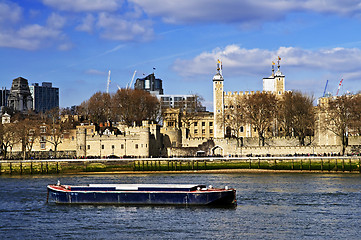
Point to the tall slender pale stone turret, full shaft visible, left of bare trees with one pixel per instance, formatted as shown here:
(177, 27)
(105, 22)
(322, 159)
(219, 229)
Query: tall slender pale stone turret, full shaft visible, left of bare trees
(218, 102)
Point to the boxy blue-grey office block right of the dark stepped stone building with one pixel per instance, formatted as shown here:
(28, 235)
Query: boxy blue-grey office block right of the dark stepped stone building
(45, 97)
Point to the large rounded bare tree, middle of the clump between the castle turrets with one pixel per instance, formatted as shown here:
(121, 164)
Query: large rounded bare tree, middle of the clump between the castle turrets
(261, 113)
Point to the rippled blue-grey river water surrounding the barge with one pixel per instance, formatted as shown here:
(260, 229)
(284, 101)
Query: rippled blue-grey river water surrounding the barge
(270, 206)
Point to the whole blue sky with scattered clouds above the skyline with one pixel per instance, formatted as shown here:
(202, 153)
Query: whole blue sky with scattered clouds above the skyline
(74, 43)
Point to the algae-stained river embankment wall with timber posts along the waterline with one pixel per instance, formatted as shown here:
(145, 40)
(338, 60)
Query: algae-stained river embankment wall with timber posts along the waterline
(56, 166)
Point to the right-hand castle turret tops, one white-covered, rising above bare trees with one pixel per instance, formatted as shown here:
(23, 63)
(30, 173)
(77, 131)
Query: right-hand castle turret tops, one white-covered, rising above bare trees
(276, 82)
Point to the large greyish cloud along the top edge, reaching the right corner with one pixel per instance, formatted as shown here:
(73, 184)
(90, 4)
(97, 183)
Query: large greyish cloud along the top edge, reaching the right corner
(243, 12)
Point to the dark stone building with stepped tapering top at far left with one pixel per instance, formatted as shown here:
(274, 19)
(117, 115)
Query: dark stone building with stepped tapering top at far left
(19, 98)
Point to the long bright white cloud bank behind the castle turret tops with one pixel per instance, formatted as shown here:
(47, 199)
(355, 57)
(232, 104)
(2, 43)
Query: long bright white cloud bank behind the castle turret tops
(240, 61)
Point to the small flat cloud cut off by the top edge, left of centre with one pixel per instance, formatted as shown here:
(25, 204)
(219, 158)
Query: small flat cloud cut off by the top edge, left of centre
(84, 5)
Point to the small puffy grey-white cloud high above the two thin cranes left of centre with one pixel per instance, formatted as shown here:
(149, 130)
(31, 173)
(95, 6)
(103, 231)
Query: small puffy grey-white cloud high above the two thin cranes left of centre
(115, 27)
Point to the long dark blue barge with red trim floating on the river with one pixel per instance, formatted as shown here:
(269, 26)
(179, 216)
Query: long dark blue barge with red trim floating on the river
(142, 194)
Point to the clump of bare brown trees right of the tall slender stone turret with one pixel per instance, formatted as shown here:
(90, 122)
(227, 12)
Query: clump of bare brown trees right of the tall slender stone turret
(291, 114)
